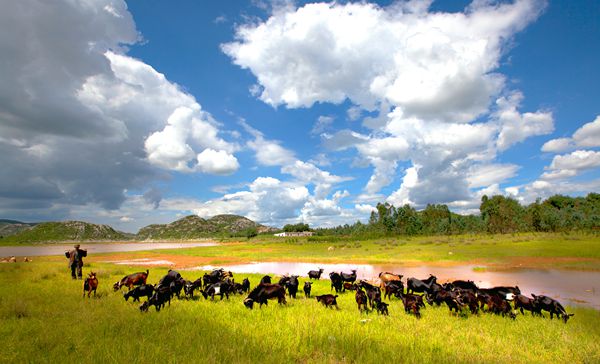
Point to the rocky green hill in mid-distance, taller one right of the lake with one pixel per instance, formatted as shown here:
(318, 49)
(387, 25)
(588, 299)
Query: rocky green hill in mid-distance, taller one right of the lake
(192, 226)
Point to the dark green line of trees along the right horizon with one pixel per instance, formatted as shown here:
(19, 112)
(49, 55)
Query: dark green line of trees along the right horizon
(498, 214)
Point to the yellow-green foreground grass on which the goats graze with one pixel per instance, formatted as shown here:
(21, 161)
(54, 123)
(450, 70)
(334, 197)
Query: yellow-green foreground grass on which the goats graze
(43, 318)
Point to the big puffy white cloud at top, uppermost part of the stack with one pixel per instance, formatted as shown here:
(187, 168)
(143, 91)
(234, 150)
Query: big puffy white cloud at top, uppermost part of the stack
(433, 65)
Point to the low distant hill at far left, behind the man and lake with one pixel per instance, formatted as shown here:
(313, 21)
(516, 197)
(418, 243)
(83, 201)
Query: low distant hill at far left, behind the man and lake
(66, 231)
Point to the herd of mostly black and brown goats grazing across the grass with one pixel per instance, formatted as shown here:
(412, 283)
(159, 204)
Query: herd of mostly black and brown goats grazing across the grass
(458, 295)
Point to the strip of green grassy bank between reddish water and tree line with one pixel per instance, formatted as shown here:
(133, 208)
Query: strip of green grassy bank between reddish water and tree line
(572, 251)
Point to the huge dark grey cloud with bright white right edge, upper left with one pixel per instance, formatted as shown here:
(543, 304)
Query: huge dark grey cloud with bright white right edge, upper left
(76, 111)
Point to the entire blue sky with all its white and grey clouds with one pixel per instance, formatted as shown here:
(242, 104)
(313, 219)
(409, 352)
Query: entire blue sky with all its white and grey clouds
(139, 112)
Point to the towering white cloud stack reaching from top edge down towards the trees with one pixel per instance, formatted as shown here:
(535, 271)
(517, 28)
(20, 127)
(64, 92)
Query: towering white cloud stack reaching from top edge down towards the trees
(428, 76)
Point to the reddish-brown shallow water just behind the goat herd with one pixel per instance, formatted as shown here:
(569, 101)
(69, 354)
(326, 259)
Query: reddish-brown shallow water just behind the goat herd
(568, 286)
